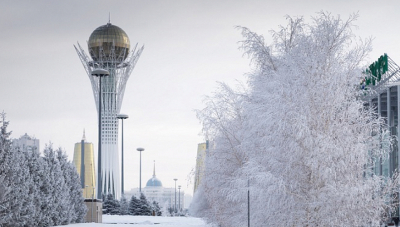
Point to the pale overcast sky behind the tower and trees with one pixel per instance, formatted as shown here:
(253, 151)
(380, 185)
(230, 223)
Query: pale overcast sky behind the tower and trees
(189, 45)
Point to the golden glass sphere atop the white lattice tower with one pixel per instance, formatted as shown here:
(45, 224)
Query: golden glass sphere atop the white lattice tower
(104, 36)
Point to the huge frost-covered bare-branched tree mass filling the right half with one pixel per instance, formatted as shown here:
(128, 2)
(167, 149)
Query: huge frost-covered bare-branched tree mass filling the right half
(299, 136)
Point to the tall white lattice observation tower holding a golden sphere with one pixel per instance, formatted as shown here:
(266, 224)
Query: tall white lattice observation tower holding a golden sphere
(109, 48)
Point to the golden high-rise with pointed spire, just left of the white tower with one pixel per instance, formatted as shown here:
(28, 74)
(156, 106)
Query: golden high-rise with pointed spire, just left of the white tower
(89, 179)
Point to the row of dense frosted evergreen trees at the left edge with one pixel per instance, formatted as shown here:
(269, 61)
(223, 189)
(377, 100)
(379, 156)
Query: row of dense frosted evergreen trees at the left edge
(37, 191)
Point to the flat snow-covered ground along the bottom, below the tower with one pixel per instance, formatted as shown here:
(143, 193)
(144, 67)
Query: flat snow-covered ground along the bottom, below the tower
(145, 221)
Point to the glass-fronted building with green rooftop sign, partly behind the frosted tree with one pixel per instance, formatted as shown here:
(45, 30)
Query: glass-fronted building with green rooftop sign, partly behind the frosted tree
(383, 78)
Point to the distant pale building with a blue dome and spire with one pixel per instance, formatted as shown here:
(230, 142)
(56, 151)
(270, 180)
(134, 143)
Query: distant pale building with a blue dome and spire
(154, 191)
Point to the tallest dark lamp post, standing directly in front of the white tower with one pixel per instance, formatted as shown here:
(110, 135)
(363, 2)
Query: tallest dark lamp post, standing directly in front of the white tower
(99, 73)
